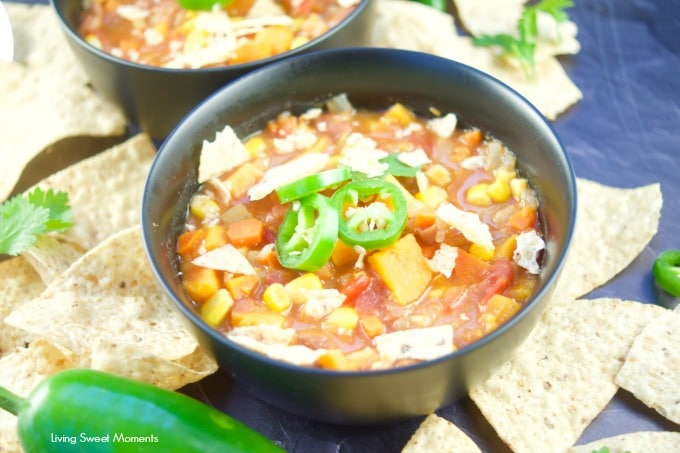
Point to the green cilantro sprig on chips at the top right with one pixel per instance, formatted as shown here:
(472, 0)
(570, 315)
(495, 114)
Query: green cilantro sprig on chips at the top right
(523, 45)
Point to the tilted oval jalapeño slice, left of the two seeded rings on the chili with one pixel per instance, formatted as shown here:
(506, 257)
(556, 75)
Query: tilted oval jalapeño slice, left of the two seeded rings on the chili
(307, 234)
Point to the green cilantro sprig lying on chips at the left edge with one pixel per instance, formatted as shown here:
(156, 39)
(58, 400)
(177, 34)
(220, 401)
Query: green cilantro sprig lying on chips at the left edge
(24, 217)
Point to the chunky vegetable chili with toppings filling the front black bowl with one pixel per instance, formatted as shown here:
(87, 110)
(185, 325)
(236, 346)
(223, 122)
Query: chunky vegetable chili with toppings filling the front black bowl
(356, 240)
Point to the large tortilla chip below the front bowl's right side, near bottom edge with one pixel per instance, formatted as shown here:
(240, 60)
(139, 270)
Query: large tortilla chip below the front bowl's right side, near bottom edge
(562, 376)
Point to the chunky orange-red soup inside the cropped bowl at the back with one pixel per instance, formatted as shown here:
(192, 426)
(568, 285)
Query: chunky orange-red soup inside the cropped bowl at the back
(162, 33)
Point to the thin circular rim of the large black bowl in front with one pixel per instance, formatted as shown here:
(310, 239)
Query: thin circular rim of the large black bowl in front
(544, 291)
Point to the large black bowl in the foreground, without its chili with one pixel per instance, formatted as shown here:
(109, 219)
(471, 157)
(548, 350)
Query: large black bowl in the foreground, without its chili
(372, 78)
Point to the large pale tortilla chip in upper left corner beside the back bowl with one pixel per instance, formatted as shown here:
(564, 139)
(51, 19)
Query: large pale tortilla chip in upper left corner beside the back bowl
(45, 95)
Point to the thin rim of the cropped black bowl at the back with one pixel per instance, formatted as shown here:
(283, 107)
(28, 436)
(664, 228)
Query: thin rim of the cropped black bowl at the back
(58, 7)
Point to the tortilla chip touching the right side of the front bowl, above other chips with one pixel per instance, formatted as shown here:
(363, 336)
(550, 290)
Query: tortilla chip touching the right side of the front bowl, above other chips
(613, 226)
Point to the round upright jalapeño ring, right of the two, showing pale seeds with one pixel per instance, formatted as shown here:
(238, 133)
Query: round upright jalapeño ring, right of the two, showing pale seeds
(372, 213)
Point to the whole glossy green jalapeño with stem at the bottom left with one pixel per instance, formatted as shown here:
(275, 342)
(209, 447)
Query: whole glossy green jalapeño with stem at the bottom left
(95, 411)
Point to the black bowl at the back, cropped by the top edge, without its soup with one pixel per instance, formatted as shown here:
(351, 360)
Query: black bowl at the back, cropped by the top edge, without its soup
(154, 99)
